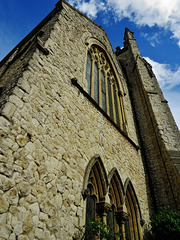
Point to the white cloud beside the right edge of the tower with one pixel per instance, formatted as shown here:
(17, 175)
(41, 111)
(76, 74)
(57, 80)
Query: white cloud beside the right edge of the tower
(167, 78)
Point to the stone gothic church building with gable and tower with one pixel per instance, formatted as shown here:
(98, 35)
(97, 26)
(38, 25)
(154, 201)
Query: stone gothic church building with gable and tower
(85, 132)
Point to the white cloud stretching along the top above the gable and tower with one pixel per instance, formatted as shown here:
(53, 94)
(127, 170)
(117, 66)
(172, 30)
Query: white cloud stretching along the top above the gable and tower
(161, 13)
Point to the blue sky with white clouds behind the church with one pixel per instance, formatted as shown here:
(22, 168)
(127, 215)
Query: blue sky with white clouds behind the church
(155, 23)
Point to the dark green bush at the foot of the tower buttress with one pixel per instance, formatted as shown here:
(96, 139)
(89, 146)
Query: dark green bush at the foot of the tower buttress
(166, 225)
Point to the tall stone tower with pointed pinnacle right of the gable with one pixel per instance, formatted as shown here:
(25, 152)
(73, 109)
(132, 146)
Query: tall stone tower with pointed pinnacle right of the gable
(158, 131)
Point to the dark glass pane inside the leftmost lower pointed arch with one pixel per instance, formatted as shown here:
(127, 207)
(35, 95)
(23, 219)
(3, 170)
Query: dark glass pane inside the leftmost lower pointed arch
(90, 210)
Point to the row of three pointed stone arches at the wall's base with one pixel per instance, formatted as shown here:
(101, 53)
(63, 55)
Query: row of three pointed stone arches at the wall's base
(108, 199)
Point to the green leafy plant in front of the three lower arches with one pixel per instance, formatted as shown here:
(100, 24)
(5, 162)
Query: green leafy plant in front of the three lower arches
(102, 231)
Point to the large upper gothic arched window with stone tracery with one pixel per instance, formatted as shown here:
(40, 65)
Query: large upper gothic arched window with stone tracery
(102, 85)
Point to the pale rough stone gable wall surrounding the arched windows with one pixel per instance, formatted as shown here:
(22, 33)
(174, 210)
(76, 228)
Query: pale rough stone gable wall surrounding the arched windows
(50, 131)
